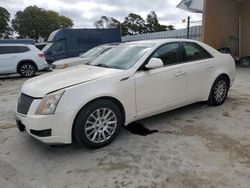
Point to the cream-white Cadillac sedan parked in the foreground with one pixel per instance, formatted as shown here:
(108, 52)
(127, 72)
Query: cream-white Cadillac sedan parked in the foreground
(135, 80)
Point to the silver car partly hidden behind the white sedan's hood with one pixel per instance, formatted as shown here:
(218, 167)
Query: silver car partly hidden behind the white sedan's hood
(84, 58)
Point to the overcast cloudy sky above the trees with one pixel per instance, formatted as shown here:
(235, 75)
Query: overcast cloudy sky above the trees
(85, 12)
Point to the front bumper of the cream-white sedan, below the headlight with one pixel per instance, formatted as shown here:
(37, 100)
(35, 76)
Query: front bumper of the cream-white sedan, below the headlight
(52, 129)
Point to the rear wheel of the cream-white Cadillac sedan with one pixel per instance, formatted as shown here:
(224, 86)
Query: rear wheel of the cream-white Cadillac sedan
(219, 91)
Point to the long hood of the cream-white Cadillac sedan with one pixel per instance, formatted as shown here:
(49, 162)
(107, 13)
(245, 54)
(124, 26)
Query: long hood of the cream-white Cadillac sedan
(41, 85)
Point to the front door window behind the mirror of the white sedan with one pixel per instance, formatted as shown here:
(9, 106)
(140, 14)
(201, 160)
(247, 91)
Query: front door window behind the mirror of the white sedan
(169, 54)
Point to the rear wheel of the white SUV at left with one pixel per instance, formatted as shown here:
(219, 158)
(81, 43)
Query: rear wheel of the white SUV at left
(27, 69)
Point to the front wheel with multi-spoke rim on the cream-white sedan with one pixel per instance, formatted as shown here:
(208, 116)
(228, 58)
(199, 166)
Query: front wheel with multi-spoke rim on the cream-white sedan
(97, 124)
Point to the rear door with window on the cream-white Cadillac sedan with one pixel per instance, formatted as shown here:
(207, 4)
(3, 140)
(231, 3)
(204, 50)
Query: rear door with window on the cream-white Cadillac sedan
(200, 66)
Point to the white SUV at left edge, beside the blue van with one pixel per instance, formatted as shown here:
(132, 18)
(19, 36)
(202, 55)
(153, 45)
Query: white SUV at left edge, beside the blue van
(21, 58)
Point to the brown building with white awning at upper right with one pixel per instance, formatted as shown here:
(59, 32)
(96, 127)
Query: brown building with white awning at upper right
(226, 23)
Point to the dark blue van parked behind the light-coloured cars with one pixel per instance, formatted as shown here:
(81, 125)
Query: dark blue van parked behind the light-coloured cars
(65, 43)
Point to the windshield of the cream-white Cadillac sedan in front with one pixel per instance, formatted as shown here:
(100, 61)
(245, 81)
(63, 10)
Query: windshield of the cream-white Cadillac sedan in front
(122, 57)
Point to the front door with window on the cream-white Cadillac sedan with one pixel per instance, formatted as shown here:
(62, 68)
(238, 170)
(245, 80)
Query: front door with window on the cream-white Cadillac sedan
(161, 88)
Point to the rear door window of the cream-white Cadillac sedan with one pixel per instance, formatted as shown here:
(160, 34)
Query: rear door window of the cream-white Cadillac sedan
(193, 51)
